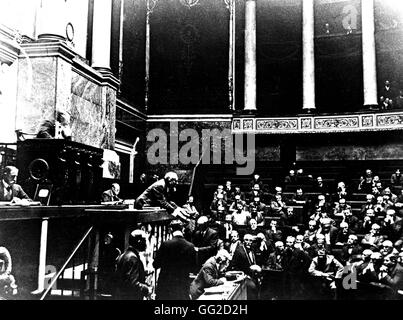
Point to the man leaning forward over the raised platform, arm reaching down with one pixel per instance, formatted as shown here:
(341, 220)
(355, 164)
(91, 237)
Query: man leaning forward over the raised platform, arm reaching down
(159, 195)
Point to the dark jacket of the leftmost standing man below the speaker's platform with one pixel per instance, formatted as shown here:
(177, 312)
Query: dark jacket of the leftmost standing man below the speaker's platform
(130, 276)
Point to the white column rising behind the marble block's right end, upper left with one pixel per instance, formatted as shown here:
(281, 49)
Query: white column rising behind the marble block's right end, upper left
(101, 34)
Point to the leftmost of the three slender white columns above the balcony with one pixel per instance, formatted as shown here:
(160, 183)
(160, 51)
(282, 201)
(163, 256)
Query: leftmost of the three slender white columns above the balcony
(250, 55)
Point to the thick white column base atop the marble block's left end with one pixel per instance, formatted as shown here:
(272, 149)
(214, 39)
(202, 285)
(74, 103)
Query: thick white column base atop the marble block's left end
(52, 20)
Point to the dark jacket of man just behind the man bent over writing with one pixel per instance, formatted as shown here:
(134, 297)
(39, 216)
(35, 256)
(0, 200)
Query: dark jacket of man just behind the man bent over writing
(206, 243)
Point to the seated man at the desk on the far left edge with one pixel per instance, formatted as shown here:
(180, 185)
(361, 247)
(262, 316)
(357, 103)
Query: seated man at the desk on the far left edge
(9, 189)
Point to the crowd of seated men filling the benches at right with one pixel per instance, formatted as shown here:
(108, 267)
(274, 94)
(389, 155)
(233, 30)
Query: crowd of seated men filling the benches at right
(326, 244)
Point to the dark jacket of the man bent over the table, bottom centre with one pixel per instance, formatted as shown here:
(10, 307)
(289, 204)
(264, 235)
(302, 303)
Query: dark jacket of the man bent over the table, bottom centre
(207, 277)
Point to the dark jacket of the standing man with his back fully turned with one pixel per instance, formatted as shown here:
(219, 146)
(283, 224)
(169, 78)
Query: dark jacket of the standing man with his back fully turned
(176, 258)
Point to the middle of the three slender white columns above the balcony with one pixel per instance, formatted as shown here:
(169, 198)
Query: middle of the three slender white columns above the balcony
(308, 56)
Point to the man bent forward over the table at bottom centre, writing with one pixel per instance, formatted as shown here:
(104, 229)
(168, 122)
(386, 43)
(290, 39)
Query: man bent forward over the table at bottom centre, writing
(211, 274)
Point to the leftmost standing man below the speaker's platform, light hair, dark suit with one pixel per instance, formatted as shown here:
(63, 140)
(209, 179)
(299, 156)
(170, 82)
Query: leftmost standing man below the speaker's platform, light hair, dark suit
(130, 275)
